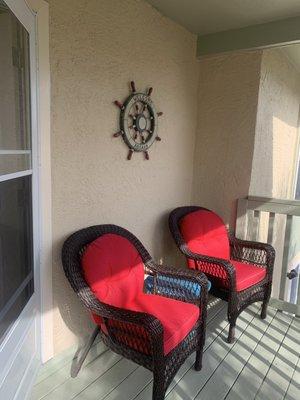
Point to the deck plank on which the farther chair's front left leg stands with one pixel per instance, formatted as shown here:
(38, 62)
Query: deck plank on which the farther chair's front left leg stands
(192, 382)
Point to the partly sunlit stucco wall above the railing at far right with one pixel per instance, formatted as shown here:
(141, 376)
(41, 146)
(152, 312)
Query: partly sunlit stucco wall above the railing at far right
(276, 140)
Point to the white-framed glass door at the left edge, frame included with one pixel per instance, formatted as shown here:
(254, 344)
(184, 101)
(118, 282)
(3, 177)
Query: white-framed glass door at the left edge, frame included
(19, 299)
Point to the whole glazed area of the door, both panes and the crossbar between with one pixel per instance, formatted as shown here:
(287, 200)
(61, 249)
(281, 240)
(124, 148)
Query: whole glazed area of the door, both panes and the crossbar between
(16, 241)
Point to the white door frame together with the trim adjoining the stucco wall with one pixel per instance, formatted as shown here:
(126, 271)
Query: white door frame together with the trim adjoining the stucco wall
(29, 341)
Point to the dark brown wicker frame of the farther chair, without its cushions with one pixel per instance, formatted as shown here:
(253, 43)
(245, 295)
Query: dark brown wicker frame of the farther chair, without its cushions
(260, 254)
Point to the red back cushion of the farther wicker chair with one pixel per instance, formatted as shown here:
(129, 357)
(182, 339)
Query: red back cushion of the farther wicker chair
(205, 233)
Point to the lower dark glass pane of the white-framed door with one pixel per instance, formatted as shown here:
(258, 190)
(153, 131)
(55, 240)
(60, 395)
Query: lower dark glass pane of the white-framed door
(16, 249)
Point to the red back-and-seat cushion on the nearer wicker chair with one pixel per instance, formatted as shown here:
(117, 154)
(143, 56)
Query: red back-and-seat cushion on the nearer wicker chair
(115, 273)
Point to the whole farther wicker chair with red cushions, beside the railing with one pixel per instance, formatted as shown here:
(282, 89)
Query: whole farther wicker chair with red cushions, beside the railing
(222, 272)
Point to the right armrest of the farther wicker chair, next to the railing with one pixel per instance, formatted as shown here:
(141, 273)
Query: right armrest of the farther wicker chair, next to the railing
(258, 253)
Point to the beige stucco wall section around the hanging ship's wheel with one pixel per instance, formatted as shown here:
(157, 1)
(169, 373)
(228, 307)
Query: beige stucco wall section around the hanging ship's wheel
(96, 48)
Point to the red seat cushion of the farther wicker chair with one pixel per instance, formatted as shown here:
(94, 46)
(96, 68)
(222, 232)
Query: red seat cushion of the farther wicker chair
(247, 275)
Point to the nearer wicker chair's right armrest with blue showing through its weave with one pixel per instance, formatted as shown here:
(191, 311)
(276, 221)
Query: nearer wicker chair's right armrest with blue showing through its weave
(168, 283)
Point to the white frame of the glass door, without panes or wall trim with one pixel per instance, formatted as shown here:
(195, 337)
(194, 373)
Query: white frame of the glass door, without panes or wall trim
(21, 345)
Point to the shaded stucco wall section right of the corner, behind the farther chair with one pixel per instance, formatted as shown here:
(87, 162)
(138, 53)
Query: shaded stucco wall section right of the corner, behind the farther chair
(228, 94)
